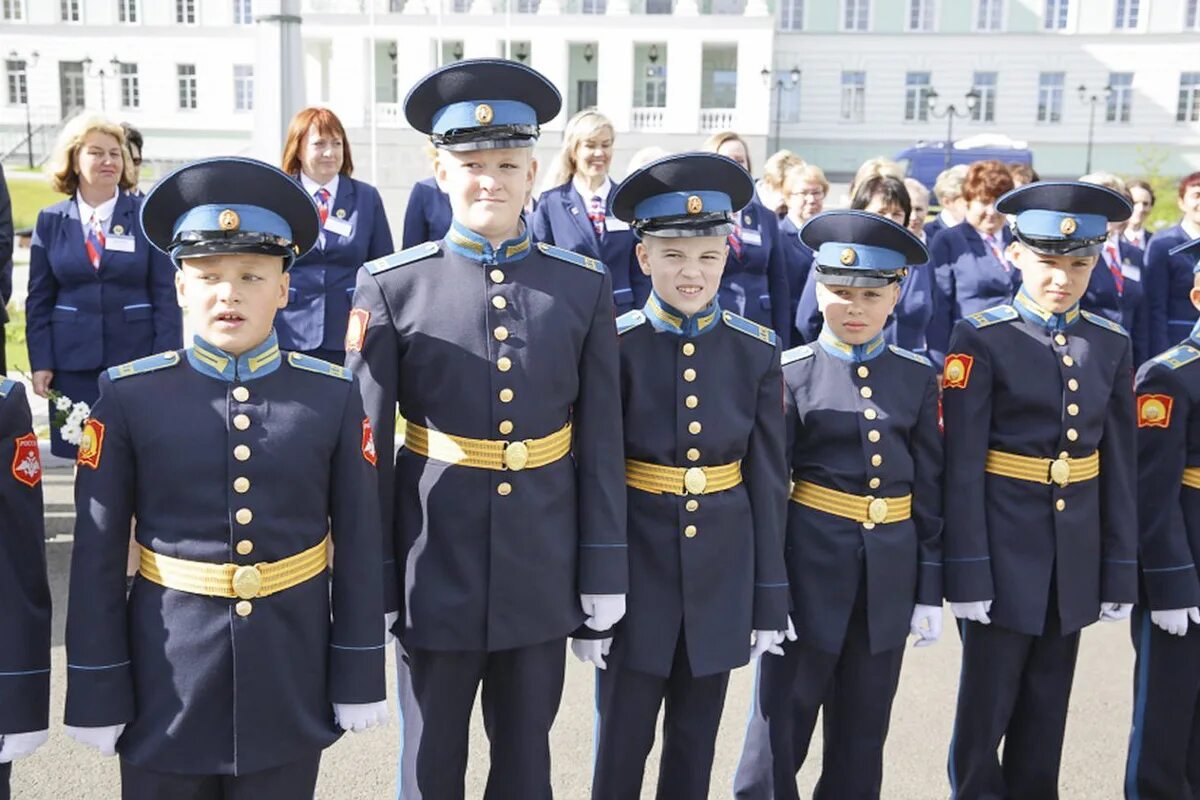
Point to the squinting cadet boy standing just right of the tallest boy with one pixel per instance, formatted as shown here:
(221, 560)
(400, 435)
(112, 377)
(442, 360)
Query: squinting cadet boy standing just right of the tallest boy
(705, 470)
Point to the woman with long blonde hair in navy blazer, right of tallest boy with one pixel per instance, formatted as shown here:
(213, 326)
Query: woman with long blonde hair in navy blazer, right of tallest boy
(574, 214)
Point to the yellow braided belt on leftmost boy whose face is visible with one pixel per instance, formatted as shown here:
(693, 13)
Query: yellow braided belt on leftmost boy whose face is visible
(245, 582)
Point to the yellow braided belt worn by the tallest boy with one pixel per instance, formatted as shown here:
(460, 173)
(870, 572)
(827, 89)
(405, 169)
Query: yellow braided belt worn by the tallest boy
(489, 454)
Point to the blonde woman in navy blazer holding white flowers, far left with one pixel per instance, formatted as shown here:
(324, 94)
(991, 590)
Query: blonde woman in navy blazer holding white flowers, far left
(99, 294)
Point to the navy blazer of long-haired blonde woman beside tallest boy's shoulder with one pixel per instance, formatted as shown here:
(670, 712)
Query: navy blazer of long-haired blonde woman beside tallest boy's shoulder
(562, 219)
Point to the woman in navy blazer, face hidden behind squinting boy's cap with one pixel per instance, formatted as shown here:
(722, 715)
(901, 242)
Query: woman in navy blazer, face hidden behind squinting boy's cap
(755, 280)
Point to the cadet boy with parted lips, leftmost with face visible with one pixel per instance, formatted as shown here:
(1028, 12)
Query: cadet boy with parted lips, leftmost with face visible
(224, 677)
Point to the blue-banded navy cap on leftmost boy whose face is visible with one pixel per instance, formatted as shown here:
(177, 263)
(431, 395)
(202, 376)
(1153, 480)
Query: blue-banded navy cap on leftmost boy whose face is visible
(230, 206)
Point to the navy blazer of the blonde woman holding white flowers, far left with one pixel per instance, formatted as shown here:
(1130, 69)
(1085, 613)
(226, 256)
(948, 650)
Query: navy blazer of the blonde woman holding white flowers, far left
(79, 318)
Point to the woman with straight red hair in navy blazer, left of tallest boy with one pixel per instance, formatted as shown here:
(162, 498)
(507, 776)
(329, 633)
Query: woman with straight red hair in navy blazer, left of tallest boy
(355, 231)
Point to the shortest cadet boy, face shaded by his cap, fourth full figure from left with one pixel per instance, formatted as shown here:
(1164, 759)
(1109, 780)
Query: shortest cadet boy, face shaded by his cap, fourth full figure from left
(865, 526)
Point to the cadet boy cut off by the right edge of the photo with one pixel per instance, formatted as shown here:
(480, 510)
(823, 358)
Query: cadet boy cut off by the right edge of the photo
(1165, 745)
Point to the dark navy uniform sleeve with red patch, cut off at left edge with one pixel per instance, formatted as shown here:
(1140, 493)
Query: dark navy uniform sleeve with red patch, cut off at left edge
(25, 594)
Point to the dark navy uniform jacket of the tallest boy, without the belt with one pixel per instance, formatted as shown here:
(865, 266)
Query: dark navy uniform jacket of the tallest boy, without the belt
(484, 560)
